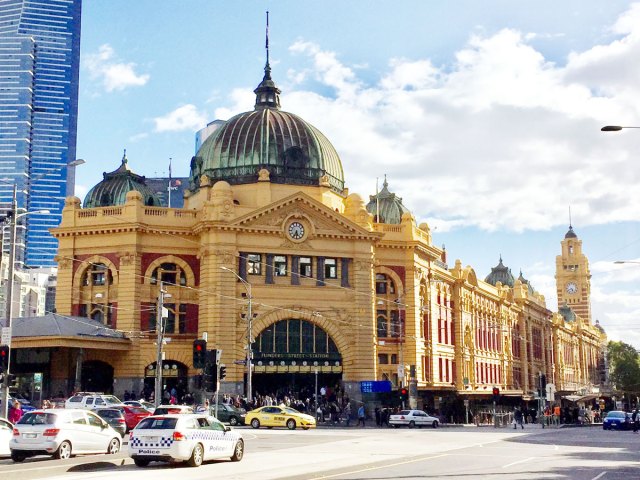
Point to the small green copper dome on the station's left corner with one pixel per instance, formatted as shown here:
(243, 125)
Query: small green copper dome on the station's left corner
(113, 188)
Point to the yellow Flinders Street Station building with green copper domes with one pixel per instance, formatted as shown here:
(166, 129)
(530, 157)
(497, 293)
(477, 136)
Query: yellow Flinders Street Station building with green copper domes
(340, 288)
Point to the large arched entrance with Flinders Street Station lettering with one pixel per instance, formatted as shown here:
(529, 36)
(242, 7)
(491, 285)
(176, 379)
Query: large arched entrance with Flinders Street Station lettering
(291, 355)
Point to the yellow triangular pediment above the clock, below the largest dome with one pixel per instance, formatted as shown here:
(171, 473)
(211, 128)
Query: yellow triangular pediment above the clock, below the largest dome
(322, 220)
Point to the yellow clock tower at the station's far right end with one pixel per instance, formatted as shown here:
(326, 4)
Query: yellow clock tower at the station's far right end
(573, 279)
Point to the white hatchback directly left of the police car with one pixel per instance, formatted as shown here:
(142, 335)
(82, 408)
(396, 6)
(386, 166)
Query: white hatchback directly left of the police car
(62, 433)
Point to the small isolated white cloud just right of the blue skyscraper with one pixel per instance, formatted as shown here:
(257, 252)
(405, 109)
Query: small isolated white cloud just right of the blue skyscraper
(114, 75)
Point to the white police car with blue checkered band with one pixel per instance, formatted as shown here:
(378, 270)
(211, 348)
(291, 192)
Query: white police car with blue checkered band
(191, 438)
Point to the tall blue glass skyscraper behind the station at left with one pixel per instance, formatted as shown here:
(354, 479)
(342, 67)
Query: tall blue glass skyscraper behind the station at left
(39, 70)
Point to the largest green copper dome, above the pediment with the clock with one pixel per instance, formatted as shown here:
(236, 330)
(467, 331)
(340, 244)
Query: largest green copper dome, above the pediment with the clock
(292, 150)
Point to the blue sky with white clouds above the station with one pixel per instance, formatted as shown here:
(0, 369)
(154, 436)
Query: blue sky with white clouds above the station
(484, 116)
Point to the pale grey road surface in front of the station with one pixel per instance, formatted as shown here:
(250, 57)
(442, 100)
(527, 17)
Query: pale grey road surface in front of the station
(355, 454)
